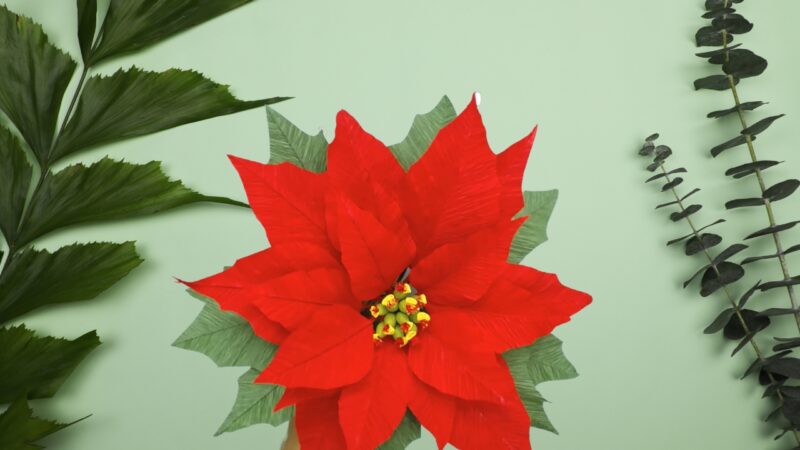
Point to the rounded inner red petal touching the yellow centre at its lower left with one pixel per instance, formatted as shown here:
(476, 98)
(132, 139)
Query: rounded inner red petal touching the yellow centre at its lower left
(333, 348)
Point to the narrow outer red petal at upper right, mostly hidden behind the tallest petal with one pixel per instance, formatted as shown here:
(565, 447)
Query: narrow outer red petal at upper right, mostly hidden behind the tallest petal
(510, 169)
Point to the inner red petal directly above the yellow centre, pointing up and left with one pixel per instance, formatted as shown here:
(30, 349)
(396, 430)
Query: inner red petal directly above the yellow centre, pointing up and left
(373, 254)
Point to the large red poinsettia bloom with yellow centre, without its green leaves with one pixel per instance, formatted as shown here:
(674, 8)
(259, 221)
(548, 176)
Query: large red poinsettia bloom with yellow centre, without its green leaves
(389, 290)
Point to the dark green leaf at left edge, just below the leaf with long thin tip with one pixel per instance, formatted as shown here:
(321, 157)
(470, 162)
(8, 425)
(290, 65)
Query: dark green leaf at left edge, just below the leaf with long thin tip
(76, 272)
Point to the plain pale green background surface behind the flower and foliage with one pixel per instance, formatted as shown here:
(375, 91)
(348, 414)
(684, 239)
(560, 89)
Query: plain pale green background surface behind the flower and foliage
(596, 76)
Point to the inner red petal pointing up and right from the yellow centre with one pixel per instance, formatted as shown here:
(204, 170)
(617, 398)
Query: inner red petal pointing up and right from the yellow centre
(462, 272)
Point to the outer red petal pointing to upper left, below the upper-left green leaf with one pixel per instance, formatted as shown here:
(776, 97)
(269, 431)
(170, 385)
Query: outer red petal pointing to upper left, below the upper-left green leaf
(287, 200)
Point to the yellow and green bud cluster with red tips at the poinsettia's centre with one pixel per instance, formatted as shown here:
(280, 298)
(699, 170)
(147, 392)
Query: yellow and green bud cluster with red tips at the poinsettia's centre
(399, 315)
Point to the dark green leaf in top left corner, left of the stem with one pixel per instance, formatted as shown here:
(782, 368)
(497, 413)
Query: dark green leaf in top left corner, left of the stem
(33, 77)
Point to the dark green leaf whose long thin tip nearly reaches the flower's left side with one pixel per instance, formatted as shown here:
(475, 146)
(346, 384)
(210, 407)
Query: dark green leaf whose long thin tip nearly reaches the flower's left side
(105, 190)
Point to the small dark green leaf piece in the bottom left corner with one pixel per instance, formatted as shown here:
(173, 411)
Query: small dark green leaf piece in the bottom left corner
(19, 429)
